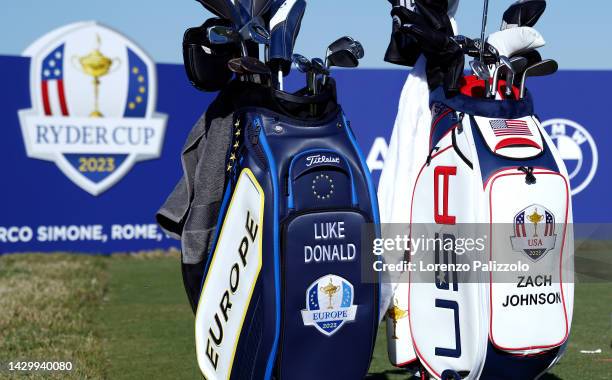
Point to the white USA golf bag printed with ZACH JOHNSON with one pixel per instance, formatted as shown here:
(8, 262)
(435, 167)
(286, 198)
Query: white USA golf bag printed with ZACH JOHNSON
(503, 309)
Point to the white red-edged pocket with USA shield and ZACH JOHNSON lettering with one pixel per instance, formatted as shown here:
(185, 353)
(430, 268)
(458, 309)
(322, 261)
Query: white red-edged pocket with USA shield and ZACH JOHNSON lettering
(538, 212)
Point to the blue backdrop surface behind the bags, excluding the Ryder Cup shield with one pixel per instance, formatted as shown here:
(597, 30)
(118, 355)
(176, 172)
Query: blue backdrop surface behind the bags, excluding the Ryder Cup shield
(36, 194)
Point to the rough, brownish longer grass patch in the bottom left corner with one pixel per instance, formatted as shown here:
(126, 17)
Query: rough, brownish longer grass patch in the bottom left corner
(48, 307)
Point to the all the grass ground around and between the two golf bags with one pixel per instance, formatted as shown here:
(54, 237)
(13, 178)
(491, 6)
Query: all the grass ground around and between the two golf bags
(127, 317)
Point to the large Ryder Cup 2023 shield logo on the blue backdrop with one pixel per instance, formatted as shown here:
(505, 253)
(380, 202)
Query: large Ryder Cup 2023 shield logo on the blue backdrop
(93, 95)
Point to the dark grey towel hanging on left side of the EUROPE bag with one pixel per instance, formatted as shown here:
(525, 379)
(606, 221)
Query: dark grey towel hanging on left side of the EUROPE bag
(190, 213)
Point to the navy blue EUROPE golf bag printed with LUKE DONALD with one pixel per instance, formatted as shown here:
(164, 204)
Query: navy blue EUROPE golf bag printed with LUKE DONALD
(284, 294)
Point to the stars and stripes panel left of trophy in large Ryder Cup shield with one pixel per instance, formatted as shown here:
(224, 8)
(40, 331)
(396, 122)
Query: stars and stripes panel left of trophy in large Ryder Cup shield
(52, 83)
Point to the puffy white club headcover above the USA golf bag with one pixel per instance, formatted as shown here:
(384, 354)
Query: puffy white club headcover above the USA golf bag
(513, 41)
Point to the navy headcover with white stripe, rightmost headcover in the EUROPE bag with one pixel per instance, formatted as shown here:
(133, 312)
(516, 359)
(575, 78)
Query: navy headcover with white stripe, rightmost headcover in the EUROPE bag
(284, 28)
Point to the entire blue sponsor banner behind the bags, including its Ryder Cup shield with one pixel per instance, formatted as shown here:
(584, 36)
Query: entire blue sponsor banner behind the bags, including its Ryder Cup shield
(91, 132)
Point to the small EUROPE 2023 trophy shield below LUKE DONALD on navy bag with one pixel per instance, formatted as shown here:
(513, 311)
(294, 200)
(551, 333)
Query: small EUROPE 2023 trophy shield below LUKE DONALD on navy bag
(329, 304)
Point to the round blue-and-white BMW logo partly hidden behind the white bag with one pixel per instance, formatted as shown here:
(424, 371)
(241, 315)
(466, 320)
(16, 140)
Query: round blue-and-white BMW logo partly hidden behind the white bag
(577, 149)
